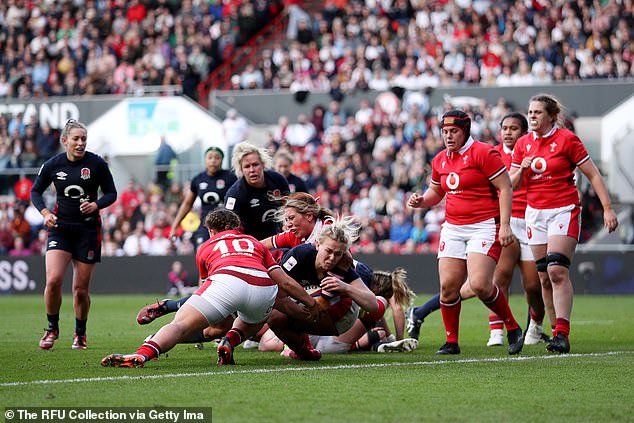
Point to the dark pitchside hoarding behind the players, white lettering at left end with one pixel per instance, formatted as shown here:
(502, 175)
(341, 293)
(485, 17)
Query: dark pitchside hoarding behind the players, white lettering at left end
(592, 273)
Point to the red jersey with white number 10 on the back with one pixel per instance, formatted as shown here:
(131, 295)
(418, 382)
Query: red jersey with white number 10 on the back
(236, 254)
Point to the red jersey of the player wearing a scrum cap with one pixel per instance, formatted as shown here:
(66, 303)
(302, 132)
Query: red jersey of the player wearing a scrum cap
(465, 176)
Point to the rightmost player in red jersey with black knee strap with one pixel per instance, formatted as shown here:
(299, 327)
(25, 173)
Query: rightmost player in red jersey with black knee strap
(545, 160)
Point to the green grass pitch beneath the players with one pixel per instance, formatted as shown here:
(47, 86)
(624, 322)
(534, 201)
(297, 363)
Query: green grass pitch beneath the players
(594, 383)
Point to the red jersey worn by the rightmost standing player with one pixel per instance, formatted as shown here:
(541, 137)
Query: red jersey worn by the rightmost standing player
(550, 180)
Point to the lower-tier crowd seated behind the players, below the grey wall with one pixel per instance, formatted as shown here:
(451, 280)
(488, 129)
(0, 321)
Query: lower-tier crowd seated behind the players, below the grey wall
(364, 162)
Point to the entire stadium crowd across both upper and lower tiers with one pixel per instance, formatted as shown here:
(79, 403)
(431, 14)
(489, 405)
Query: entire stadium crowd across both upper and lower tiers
(363, 161)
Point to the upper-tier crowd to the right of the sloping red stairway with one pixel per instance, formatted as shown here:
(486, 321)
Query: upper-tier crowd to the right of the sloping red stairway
(415, 45)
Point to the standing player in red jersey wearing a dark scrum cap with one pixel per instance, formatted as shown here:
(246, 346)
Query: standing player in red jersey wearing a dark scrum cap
(478, 188)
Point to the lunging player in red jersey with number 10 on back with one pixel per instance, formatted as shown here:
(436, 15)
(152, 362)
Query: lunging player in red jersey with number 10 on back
(240, 276)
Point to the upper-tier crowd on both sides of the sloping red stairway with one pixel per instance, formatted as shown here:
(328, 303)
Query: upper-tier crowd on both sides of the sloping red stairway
(88, 47)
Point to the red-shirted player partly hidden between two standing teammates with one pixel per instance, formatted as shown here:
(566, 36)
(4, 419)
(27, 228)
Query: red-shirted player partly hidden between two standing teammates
(512, 127)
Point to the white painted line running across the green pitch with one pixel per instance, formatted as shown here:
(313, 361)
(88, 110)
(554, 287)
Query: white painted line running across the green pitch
(305, 369)
